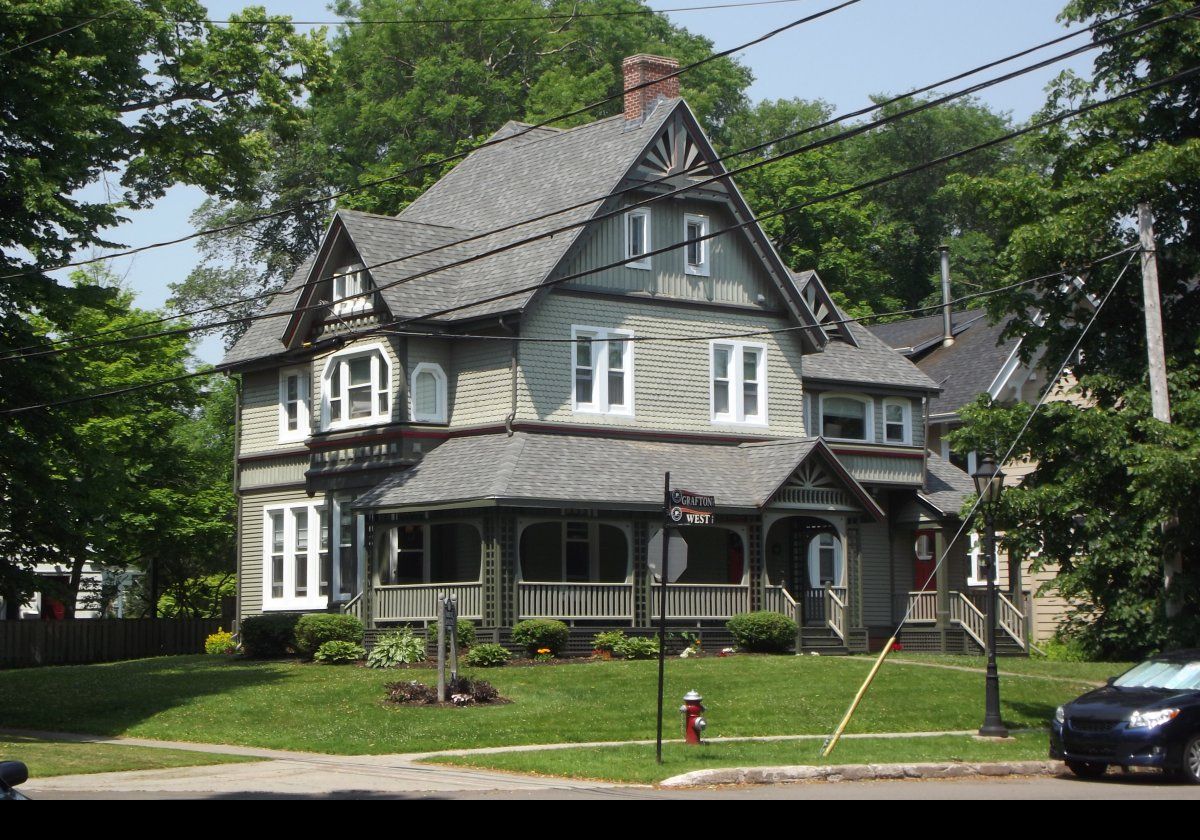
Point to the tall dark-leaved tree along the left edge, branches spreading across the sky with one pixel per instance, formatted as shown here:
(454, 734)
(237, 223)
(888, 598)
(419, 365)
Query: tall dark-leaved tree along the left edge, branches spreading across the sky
(119, 94)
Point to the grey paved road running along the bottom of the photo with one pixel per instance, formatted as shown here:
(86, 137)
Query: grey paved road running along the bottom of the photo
(1142, 787)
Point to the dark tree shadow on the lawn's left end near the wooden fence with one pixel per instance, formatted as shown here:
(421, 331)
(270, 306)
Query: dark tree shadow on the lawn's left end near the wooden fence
(113, 698)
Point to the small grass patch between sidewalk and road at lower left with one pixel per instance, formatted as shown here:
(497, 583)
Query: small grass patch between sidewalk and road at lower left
(57, 759)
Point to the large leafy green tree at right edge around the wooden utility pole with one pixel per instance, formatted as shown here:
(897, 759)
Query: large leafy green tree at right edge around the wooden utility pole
(1108, 475)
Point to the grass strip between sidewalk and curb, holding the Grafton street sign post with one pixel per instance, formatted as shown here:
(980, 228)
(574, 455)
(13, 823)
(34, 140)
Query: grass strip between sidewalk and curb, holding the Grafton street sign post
(637, 765)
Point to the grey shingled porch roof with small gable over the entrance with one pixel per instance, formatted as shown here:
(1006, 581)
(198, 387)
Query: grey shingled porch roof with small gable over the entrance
(581, 471)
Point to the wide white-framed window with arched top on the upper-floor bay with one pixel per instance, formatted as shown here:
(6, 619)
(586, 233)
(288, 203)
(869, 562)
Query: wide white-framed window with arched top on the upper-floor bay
(357, 388)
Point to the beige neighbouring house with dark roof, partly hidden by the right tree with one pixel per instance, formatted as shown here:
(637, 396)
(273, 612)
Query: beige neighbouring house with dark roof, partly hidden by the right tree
(970, 362)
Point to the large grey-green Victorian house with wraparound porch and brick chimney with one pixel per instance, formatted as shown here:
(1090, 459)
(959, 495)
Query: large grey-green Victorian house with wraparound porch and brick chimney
(457, 400)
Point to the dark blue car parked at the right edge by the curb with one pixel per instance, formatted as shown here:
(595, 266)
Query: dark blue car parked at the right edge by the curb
(1148, 717)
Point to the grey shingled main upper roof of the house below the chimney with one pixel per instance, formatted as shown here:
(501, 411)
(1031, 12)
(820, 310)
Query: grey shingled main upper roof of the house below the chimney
(496, 187)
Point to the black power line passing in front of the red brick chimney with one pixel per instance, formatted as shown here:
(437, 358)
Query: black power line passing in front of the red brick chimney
(442, 161)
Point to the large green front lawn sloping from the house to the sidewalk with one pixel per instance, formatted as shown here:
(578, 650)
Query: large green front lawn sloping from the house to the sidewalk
(340, 710)
